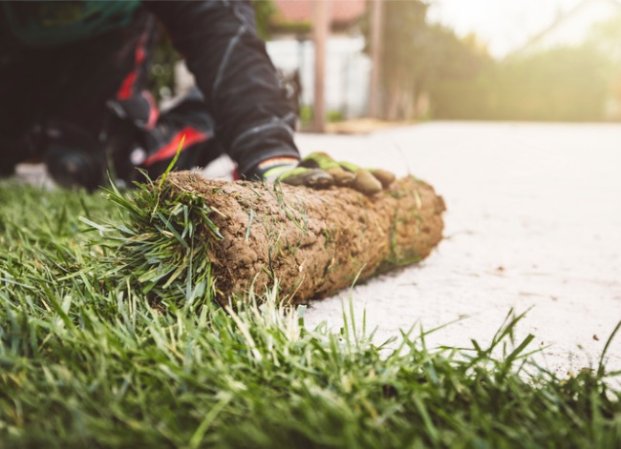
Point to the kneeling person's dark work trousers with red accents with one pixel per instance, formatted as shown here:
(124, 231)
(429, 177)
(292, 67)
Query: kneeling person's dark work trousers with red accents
(91, 97)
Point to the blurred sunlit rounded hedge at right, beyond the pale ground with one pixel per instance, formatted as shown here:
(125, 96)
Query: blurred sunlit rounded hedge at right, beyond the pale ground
(568, 84)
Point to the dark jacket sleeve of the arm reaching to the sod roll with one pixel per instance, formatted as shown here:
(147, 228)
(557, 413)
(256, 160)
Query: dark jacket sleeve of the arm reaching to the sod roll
(219, 42)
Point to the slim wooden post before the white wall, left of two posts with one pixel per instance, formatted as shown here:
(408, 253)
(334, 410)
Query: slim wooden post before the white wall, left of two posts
(320, 38)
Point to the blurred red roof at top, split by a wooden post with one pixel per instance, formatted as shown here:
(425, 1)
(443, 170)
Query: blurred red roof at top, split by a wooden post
(341, 11)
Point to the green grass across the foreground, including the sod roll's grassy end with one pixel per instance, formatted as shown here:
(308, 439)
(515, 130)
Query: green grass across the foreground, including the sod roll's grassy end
(110, 337)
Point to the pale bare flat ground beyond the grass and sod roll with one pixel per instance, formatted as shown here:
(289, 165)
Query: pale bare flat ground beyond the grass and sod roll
(533, 220)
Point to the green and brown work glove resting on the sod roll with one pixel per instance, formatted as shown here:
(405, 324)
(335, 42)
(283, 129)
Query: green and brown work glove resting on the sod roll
(319, 170)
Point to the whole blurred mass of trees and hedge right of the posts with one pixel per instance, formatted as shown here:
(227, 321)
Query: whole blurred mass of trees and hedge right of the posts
(461, 81)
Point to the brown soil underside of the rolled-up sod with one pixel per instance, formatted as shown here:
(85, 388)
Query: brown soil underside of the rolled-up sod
(313, 242)
